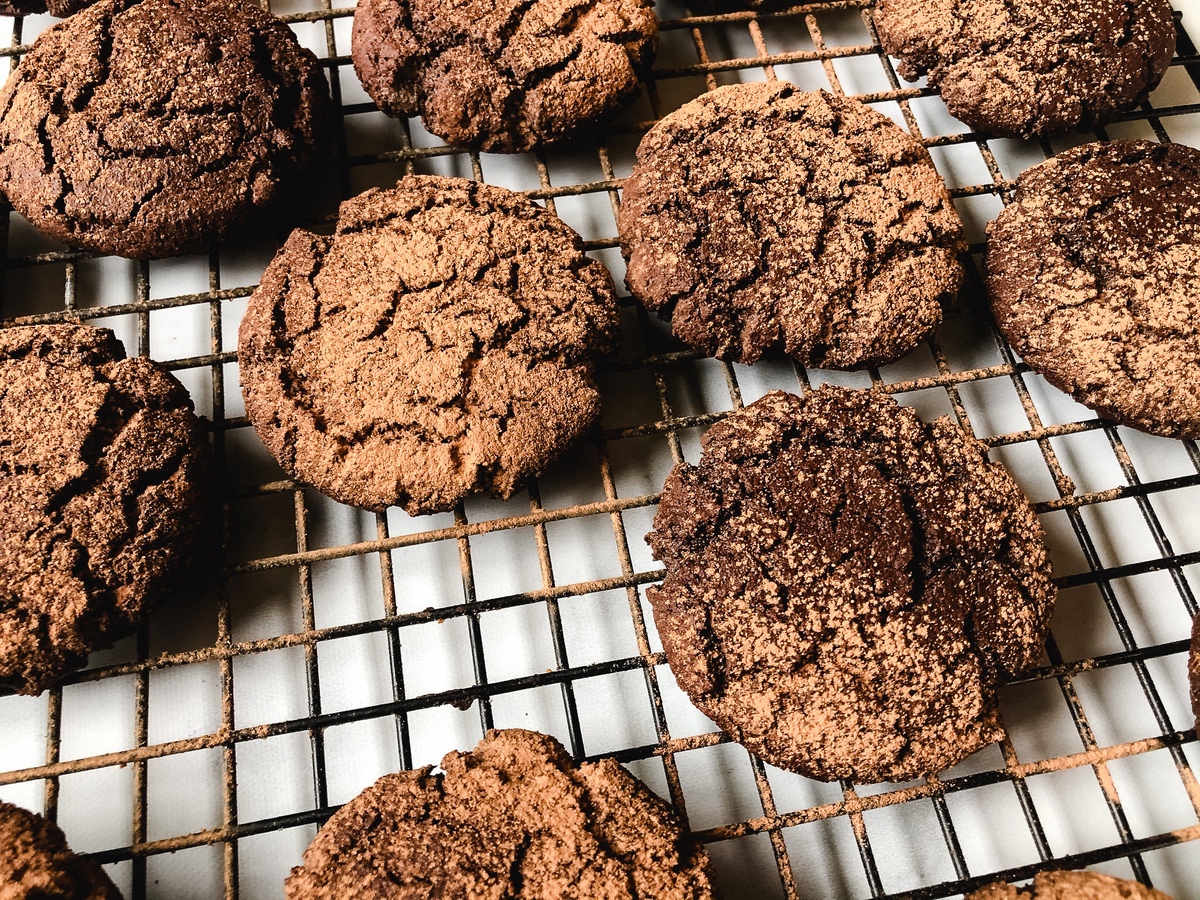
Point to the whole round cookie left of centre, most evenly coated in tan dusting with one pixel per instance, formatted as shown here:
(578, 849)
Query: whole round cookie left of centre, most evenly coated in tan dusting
(442, 343)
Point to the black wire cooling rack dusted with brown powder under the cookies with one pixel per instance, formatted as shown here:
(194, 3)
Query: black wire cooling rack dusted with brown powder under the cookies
(280, 544)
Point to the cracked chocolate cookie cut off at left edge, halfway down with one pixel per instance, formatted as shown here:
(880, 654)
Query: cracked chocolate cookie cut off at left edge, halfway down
(104, 493)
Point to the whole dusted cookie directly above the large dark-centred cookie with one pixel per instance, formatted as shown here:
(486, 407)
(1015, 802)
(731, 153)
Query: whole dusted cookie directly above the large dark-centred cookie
(760, 217)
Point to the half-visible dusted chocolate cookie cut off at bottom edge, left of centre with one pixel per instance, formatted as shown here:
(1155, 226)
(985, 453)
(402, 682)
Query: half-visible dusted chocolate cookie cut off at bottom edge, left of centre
(514, 819)
